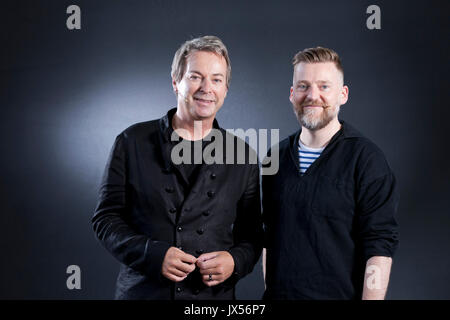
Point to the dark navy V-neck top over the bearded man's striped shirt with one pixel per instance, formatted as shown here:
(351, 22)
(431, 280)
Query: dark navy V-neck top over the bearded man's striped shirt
(322, 227)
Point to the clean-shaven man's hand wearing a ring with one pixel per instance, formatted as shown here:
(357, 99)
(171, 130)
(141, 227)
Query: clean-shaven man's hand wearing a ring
(219, 265)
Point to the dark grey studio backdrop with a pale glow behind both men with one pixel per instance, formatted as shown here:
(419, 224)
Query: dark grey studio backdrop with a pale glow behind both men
(65, 95)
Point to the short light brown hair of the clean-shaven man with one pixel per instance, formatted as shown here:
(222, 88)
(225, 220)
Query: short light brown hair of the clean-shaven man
(206, 43)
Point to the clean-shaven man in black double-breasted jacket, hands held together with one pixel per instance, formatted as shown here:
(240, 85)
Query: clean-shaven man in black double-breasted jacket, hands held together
(182, 230)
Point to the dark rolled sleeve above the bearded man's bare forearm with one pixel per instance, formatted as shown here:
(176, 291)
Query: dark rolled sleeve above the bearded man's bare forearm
(377, 202)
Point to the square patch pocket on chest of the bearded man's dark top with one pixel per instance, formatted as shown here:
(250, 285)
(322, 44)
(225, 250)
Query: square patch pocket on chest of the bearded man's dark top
(333, 198)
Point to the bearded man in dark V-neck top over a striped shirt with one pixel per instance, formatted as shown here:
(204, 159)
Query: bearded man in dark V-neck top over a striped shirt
(329, 211)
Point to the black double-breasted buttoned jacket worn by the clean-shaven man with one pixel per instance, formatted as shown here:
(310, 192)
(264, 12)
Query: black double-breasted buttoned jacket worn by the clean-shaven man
(146, 205)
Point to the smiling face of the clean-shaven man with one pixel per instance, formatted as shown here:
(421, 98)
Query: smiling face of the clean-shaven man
(203, 88)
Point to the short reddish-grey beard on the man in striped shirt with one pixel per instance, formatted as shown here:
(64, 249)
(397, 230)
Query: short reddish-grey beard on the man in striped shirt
(315, 118)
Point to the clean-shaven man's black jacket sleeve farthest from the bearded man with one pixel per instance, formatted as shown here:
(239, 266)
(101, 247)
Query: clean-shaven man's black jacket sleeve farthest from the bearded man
(110, 219)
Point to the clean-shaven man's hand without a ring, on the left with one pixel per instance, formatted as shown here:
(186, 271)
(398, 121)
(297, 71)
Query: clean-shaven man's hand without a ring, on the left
(177, 264)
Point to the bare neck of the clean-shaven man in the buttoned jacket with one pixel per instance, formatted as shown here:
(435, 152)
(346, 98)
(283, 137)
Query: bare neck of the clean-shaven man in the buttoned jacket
(190, 129)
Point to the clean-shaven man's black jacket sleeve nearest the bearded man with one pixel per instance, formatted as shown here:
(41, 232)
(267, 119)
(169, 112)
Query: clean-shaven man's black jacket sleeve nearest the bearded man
(247, 230)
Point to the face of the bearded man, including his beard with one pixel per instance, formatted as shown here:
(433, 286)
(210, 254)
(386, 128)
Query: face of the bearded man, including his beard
(317, 93)
